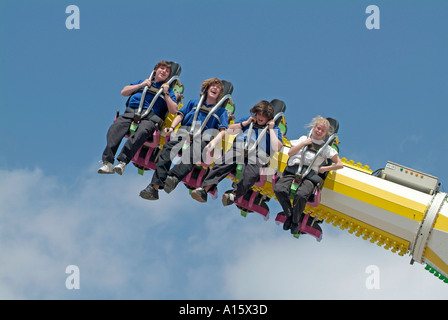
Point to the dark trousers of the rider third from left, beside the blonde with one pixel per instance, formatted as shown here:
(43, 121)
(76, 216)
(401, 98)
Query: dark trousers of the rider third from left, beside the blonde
(249, 175)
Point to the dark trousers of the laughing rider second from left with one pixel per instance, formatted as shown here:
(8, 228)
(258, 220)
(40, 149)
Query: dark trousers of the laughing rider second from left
(181, 169)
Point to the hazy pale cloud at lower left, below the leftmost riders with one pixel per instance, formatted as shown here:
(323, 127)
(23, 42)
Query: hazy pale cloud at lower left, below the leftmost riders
(97, 225)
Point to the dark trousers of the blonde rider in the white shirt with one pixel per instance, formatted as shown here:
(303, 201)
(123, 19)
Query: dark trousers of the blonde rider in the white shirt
(282, 190)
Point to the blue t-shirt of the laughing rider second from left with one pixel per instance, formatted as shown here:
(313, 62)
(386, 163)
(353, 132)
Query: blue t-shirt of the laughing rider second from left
(213, 123)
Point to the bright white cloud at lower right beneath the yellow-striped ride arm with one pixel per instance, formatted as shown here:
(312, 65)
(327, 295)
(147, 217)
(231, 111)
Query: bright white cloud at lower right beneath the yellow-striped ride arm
(286, 268)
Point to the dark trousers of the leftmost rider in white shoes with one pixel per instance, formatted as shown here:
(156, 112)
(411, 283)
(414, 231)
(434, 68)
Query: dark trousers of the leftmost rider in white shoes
(118, 130)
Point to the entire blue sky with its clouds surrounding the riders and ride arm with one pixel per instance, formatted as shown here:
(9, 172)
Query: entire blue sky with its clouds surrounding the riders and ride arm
(60, 89)
